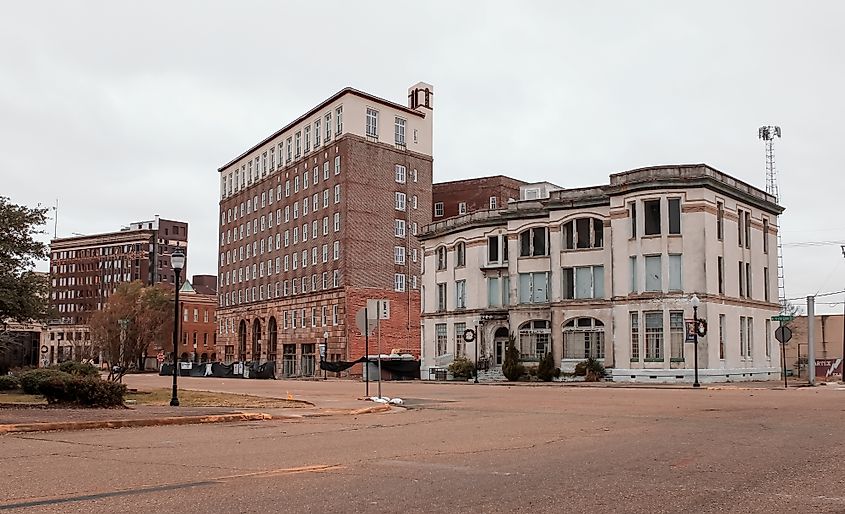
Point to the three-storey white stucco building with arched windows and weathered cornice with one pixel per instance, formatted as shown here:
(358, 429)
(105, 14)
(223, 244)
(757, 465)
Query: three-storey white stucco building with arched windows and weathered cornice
(608, 272)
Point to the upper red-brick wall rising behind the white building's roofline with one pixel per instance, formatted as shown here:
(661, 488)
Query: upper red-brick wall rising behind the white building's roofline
(459, 197)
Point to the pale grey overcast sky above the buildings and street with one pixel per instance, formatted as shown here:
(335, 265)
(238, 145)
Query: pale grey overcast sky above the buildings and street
(126, 110)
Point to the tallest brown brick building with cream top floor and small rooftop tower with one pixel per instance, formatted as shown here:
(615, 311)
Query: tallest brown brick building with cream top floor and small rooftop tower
(318, 218)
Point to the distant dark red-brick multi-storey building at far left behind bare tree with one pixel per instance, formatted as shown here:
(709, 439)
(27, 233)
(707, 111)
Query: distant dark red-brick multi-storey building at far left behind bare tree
(85, 271)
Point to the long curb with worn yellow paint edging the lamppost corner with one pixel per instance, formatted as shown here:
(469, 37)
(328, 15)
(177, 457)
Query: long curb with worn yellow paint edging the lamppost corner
(177, 420)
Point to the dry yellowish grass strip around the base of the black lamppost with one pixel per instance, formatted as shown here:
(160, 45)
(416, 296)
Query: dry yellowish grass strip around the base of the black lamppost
(189, 398)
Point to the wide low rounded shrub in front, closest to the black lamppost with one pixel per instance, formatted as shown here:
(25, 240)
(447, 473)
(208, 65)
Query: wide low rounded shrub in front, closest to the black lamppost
(84, 391)
